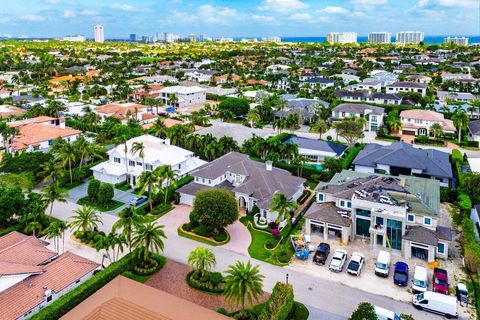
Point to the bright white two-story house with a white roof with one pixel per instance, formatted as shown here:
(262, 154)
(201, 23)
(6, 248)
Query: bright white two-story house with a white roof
(129, 166)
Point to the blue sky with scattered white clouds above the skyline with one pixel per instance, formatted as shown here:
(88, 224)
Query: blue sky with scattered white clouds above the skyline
(54, 18)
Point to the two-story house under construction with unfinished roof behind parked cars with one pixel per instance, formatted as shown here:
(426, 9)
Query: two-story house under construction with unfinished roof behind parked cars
(392, 213)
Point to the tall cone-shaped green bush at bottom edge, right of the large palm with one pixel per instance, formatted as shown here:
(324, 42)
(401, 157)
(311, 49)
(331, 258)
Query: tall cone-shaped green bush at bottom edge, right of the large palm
(280, 303)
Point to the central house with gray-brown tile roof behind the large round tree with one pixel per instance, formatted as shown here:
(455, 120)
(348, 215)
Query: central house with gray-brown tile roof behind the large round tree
(253, 183)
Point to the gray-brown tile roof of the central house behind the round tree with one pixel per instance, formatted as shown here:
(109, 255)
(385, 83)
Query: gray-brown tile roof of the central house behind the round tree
(260, 183)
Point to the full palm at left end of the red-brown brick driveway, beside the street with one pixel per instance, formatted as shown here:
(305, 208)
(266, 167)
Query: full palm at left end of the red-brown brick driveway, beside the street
(147, 239)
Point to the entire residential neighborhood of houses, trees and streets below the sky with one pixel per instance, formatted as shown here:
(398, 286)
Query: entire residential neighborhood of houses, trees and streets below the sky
(192, 179)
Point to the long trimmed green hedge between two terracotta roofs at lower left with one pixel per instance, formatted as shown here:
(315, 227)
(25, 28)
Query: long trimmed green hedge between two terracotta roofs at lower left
(70, 300)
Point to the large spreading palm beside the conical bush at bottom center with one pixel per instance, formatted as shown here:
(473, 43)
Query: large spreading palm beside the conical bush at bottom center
(243, 283)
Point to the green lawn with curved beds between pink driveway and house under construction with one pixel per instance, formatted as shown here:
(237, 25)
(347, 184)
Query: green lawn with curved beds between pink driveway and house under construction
(279, 254)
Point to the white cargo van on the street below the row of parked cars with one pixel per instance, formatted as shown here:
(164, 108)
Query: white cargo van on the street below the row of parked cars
(437, 303)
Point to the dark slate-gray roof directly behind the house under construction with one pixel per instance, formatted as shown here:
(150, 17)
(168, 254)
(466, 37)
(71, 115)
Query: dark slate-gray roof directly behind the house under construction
(403, 155)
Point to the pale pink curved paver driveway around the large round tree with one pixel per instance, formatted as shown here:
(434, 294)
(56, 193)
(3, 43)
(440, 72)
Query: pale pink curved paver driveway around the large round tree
(240, 237)
